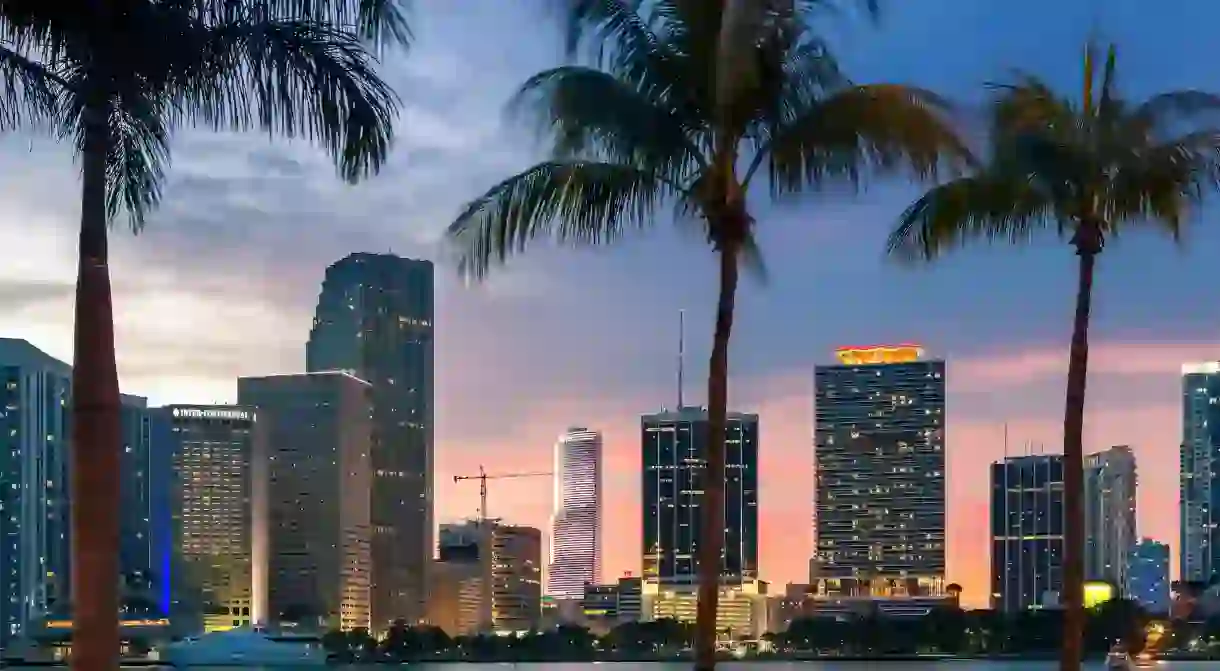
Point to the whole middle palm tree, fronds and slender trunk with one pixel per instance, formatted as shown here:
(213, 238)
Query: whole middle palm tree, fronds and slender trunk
(645, 119)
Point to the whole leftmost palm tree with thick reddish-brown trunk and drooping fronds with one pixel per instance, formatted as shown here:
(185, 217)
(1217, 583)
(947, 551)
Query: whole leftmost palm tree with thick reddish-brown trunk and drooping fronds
(119, 77)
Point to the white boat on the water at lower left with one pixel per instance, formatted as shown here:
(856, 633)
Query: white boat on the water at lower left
(243, 648)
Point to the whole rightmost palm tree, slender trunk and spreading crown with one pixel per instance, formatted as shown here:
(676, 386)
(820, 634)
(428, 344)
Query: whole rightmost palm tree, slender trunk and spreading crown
(1086, 170)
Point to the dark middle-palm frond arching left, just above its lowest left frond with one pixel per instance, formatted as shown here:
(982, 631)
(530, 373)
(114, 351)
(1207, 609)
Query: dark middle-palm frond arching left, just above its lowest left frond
(592, 114)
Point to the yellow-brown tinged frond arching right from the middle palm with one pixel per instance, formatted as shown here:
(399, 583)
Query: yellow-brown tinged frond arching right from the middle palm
(874, 127)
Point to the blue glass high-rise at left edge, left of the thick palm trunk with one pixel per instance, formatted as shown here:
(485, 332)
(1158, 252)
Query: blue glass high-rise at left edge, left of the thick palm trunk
(35, 506)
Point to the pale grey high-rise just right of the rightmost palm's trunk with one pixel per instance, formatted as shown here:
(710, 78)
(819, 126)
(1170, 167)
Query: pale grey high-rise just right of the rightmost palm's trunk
(1110, 514)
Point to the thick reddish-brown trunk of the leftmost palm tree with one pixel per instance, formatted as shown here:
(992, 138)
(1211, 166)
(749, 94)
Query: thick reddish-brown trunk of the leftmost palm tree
(96, 423)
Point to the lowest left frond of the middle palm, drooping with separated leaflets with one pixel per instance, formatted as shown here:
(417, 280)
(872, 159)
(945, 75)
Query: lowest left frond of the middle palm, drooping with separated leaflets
(584, 203)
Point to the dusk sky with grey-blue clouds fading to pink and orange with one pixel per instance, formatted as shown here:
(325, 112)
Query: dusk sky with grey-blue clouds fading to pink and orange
(224, 281)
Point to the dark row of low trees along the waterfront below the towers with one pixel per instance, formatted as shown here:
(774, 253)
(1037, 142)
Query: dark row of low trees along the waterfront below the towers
(942, 631)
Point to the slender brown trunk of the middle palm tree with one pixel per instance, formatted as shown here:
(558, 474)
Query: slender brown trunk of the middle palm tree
(712, 537)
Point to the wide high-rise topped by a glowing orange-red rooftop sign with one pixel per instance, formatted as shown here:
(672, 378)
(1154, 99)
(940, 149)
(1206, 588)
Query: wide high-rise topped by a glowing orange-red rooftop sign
(879, 446)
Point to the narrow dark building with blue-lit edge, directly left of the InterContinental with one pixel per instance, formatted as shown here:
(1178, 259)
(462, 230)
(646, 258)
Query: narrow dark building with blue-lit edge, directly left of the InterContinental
(143, 476)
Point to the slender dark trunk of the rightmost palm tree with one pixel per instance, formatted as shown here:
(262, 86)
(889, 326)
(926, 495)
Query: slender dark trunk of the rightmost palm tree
(1089, 243)
